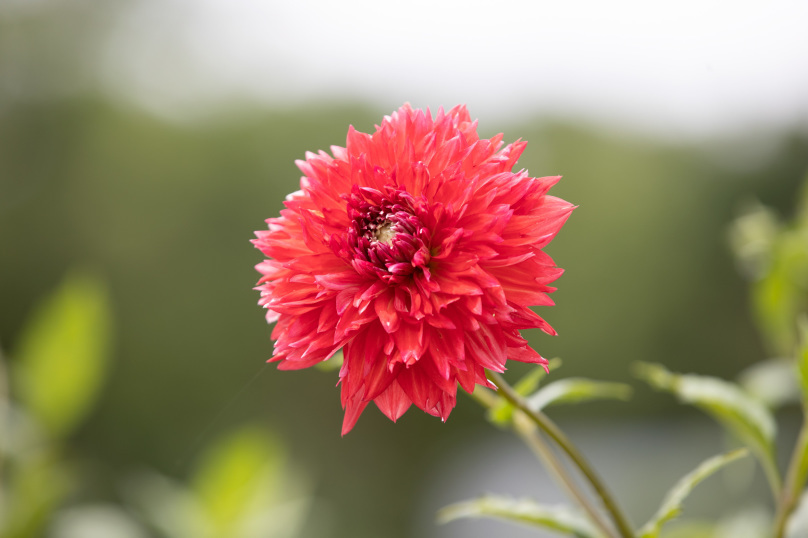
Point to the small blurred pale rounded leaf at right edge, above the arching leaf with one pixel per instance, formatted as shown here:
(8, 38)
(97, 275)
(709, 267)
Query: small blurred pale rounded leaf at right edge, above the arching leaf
(772, 382)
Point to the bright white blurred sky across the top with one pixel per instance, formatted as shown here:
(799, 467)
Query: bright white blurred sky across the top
(685, 67)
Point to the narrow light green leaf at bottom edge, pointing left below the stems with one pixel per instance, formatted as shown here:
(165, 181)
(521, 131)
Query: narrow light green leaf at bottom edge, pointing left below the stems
(562, 519)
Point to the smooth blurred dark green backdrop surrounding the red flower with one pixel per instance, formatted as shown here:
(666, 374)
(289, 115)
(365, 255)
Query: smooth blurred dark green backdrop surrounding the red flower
(162, 212)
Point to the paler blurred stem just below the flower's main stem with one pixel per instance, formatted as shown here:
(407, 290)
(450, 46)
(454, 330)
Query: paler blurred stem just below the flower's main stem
(528, 432)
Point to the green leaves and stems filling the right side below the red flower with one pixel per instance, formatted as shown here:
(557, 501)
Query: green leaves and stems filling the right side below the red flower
(775, 256)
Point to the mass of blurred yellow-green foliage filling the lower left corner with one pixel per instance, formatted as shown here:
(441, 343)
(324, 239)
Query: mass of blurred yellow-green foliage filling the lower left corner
(243, 484)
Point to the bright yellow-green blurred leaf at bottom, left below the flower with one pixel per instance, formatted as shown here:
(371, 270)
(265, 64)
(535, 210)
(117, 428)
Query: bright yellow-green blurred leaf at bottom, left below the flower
(238, 471)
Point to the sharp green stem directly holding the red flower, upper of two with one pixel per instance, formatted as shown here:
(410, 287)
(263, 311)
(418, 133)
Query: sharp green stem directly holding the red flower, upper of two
(555, 433)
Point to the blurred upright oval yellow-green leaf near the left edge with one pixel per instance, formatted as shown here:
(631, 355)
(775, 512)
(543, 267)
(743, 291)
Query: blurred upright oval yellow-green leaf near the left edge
(63, 350)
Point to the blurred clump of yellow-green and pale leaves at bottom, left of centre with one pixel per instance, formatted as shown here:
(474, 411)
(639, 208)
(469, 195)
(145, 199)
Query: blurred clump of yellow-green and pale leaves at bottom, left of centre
(243, 487)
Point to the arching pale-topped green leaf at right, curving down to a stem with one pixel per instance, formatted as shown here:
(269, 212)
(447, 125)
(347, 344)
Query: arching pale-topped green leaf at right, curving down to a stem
(728, 404)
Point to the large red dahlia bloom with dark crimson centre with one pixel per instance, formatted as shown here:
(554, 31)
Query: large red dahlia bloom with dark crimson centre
(418, 251)
